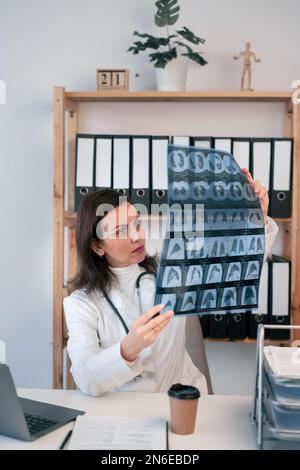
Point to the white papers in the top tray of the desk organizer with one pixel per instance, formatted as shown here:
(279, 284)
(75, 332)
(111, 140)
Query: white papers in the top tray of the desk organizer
(284, 362)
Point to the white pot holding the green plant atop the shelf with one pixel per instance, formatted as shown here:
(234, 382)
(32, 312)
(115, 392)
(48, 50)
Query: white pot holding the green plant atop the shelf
(173, 76)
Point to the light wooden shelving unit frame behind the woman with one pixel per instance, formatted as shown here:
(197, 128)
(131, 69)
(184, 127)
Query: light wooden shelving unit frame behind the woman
(66, 118)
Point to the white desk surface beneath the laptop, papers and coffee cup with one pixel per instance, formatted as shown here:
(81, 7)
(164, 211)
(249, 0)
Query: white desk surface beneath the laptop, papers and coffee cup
(222, 421)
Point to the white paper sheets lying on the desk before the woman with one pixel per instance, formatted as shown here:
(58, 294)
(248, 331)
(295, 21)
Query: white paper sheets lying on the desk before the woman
(102, 433)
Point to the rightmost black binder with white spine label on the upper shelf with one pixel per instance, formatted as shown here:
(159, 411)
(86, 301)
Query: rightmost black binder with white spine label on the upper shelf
(281, 178)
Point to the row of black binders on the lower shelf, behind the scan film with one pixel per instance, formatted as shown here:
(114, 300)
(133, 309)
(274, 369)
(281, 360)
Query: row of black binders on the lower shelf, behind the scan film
(273, 307)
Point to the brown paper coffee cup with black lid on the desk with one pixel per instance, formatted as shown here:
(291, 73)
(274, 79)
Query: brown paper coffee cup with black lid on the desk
(183, 408)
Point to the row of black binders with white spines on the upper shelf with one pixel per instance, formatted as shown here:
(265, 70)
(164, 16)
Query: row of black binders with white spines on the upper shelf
(136, 166)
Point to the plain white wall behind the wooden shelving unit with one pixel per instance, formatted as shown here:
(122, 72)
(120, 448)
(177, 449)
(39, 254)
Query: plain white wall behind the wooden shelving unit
(62, 42)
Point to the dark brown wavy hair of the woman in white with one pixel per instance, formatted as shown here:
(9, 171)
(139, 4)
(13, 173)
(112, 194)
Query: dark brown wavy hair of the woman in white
(93, 271)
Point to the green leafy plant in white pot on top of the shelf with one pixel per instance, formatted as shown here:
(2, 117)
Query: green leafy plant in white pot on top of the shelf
(171, 53)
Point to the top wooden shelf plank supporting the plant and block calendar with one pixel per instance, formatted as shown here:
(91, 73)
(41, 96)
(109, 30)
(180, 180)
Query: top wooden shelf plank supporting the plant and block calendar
(187, 96)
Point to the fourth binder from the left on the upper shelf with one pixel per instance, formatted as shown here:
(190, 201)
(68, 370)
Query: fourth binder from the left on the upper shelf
(140, 170)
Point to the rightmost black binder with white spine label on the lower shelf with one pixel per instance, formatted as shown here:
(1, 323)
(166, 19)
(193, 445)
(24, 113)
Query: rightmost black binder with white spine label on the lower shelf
(280, 298)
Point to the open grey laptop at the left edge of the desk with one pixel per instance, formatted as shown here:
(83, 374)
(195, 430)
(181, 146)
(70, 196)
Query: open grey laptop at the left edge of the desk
(28, 419)
